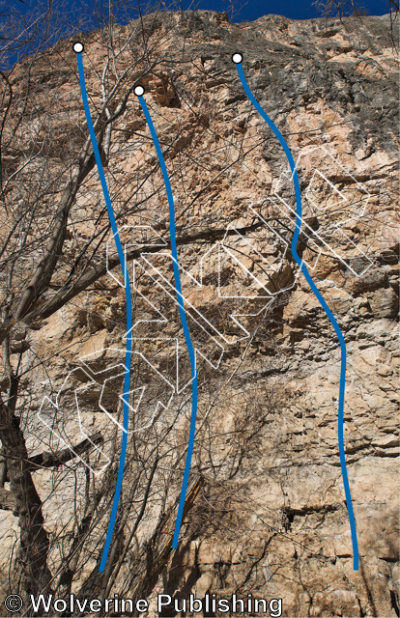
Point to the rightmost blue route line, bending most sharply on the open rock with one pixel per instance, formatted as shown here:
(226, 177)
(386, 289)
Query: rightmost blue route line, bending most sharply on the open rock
(322, 303)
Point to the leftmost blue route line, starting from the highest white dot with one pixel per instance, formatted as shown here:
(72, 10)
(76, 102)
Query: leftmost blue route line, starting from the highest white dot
(128, 354)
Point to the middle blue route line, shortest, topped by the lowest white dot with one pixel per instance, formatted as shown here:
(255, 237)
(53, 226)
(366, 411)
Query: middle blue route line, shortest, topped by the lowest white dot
(182, 314)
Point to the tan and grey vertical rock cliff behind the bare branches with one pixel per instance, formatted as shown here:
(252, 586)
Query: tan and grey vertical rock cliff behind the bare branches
(271, 517)
